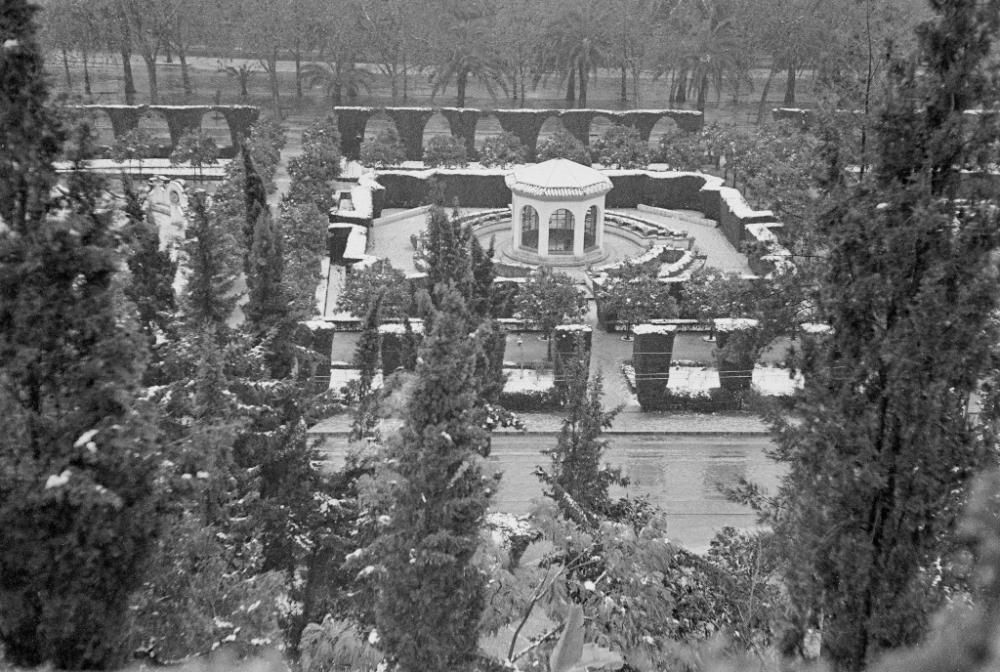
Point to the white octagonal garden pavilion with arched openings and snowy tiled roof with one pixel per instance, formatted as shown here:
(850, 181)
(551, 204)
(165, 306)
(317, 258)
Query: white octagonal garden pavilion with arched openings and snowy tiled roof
(557, 211)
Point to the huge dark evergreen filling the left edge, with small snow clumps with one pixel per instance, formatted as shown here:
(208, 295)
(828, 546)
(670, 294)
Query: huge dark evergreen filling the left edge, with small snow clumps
(79, 452)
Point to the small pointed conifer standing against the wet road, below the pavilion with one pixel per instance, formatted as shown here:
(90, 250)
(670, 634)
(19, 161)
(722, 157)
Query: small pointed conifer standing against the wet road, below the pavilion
(578, 481)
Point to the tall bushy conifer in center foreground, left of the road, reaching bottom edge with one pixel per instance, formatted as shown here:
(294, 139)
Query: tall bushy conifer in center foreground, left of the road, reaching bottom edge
(430, 594)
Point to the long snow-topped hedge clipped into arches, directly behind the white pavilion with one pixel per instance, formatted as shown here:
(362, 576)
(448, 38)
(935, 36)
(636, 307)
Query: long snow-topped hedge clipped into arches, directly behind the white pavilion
(525, 124)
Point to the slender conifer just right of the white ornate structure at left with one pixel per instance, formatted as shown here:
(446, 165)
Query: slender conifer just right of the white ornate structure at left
(212, 265)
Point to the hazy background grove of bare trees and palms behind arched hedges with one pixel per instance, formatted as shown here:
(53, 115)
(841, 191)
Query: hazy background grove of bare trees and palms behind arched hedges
(694, 48)
